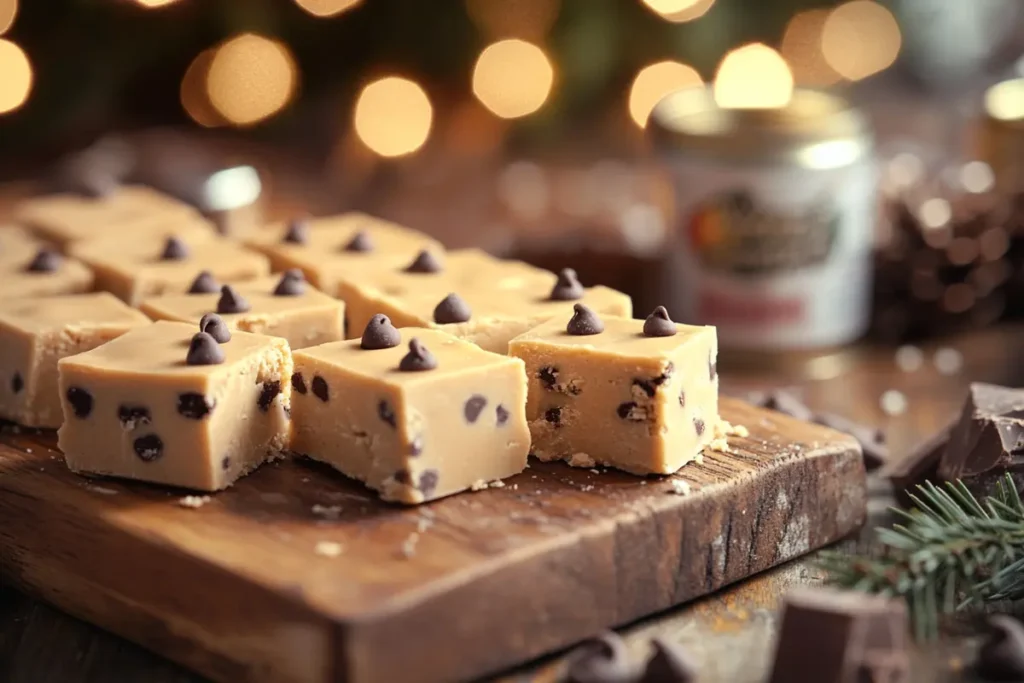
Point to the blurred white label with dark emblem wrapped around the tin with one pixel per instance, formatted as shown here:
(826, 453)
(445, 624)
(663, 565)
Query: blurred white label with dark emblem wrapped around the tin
(777, 259)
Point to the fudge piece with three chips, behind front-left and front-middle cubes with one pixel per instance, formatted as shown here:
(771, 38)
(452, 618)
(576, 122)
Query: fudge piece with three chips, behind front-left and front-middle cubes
(280, 306)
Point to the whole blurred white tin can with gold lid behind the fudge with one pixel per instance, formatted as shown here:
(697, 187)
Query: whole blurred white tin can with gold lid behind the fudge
(776, 214)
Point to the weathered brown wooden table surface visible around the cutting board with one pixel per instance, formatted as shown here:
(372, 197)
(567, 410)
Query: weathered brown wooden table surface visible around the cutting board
(731, 634)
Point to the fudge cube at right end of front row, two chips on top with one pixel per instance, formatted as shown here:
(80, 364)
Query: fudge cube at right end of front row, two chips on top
(639, 396)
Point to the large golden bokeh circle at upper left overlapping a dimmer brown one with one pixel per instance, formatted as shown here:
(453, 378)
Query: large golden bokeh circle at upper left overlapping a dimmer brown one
(251, 78)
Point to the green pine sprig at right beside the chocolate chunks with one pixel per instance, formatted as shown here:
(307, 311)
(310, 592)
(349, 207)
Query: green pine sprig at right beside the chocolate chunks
(948, 553)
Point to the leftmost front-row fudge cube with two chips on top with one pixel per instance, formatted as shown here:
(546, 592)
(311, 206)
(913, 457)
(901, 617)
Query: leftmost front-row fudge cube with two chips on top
(172, 405)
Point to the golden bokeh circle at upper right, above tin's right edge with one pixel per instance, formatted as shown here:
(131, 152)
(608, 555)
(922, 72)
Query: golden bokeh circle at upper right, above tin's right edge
(861, 38)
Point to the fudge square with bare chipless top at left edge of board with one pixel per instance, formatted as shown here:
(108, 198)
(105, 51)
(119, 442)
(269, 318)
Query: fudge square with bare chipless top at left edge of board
(36, 333)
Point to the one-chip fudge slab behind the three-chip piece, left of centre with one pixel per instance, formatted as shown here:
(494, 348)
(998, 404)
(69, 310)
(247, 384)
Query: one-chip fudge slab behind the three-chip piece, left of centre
(136, 270)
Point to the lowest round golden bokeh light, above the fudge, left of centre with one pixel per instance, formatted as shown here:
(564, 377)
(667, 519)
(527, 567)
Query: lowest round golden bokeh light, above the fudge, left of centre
(394, 117)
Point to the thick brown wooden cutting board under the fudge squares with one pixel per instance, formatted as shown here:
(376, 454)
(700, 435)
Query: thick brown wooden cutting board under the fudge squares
(237, 589)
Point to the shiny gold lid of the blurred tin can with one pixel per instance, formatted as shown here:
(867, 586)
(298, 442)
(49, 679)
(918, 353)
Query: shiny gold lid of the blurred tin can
(816, 131)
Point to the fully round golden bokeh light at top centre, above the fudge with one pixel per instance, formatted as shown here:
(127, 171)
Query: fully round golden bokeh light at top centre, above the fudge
(513, 78)
